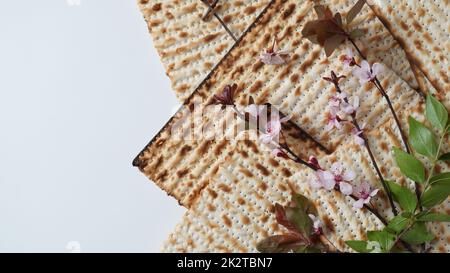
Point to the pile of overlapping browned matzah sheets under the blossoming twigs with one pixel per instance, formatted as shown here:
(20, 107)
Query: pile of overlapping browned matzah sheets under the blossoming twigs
(230, 184)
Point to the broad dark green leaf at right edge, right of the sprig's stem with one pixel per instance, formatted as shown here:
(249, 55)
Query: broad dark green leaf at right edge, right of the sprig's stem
(438, 191)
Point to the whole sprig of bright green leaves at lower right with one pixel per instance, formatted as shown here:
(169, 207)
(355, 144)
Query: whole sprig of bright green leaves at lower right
(409, 227)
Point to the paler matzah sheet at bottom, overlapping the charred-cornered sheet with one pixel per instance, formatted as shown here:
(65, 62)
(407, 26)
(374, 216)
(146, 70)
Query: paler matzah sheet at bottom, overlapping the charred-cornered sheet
(235, 211)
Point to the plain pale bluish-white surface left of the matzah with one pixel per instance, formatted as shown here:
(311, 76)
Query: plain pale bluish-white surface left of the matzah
(82, 91)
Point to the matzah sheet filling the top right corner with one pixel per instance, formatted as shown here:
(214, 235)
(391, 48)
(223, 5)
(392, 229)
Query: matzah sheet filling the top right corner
(422, 28)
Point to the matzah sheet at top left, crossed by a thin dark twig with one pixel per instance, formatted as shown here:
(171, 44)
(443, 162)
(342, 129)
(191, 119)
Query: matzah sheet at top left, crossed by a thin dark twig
(190, 47)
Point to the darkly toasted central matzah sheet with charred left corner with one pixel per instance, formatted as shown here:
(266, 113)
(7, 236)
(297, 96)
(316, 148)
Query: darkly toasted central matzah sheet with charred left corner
(296, 87)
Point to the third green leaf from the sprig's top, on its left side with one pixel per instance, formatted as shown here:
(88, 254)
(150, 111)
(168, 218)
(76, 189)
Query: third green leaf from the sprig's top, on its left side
(410, 166)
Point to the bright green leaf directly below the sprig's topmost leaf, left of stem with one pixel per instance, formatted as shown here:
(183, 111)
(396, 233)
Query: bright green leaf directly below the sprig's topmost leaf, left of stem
(422, 139)
